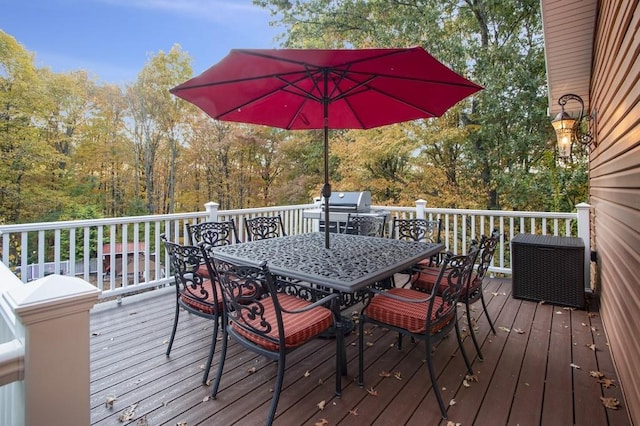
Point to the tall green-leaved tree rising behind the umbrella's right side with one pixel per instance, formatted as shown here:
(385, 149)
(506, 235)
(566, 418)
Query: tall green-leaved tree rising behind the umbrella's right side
(495, 137)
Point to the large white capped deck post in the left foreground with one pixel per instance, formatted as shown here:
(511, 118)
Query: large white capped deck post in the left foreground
(53, 325)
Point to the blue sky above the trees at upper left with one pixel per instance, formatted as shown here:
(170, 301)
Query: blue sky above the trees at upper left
(112, 39)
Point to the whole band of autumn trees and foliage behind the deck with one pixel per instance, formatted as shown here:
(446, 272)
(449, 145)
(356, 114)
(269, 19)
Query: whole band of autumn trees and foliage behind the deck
(72, 148)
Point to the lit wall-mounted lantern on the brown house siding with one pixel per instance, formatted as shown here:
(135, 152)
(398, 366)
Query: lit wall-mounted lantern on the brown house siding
(568, 129)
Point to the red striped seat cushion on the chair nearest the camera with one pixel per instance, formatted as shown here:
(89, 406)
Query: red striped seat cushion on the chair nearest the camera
(298, 327)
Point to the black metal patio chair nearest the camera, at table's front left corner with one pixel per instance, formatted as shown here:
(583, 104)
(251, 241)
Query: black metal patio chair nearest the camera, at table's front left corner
(270, 317)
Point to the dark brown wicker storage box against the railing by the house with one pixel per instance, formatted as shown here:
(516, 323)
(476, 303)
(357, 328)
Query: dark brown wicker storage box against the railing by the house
(548, 268)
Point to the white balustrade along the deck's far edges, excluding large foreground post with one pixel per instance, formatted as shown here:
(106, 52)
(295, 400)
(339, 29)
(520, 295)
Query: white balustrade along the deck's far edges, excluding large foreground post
(93, 249)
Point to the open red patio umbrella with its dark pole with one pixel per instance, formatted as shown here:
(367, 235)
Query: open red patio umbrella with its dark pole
(326, 89)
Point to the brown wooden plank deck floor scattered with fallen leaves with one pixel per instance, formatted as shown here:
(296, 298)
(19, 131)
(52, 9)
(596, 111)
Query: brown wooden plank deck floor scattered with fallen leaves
(536, 372)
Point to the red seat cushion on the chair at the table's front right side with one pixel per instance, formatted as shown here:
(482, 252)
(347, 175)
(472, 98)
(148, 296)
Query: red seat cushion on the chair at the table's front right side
(411, 316)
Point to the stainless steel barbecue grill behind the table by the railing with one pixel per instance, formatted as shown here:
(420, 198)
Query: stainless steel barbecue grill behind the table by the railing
(341, 204)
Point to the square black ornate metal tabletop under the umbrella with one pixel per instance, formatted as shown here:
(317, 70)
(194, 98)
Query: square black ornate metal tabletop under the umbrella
(352, 262)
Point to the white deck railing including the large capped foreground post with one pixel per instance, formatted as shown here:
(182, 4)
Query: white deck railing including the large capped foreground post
(98, 252)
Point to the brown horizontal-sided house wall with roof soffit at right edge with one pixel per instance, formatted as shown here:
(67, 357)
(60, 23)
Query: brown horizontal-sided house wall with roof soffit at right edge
(592, 49)
